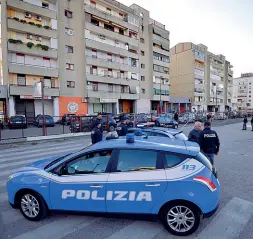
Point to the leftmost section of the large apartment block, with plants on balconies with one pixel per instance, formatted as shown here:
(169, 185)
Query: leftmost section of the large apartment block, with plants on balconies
(29, 52)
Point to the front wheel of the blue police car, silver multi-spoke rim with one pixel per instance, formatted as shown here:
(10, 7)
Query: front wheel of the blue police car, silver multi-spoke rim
(32, 206)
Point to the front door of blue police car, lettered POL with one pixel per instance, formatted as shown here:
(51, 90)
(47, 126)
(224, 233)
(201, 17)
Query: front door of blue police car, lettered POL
(81, 187)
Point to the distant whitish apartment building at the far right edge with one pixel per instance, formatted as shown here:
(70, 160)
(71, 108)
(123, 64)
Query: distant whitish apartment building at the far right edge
(244, 91)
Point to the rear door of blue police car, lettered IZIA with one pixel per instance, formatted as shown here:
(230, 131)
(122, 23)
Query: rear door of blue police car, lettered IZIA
(136, 182)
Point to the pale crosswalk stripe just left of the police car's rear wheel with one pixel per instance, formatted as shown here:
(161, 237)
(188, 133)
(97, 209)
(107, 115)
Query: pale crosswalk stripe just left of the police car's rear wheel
(137, 230)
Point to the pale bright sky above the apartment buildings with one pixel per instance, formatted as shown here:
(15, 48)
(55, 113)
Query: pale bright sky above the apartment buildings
(224, 26)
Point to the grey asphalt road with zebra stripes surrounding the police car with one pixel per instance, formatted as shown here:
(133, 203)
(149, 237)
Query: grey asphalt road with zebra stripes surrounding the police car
(233, 220)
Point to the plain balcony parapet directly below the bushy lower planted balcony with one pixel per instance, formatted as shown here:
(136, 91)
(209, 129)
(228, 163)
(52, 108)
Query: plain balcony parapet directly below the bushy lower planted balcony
(33, 70)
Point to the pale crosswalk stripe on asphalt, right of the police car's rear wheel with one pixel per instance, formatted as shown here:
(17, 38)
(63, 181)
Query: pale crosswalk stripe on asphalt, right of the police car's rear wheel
(230, 221)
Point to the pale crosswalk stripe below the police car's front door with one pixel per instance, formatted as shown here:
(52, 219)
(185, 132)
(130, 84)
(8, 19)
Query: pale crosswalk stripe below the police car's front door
(59, 228)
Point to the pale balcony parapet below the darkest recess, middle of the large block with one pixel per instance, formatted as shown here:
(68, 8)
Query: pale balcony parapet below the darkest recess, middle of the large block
(110, 34)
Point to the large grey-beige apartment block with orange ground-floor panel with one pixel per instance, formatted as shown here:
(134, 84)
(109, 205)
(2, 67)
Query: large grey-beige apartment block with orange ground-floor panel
(92, 56)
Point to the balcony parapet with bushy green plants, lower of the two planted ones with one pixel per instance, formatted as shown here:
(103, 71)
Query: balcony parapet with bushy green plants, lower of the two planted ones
(34, 51)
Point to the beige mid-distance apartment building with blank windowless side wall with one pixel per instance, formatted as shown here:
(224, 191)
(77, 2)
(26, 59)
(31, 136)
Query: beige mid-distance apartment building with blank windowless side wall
(204, 77)
